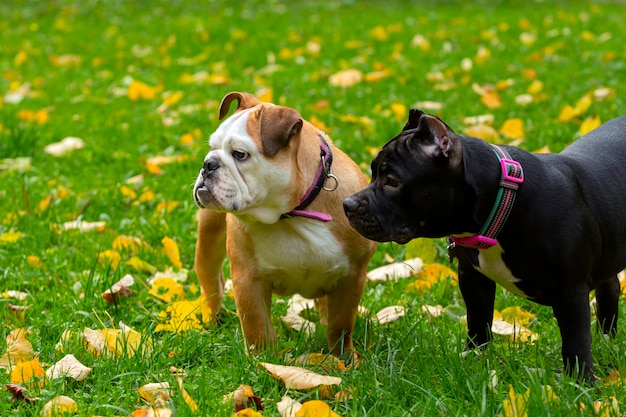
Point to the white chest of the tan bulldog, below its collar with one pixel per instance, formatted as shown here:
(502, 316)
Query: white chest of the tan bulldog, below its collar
(299, 256)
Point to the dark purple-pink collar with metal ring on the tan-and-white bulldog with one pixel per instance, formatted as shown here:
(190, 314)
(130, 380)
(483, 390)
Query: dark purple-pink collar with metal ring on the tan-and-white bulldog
(323, 174)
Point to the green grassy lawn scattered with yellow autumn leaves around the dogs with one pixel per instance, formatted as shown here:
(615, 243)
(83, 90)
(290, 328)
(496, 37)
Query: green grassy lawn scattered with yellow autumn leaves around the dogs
(140, 82)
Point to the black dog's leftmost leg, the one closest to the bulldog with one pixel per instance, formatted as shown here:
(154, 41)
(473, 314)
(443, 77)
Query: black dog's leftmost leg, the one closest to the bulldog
(479, 293)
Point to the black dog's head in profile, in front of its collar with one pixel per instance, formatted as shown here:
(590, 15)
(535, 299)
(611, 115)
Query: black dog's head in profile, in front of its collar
(414, 182)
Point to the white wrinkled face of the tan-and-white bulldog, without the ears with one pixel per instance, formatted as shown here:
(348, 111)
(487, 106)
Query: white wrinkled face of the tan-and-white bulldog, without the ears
(238, 177)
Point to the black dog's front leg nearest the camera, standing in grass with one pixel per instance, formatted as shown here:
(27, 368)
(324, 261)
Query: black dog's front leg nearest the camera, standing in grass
(573, 314)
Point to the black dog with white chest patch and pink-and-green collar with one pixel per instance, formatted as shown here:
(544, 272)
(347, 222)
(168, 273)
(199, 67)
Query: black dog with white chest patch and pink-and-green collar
(548, 227)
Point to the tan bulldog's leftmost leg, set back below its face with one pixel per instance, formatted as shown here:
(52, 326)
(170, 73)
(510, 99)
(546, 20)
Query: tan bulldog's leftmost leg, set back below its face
(210, 253)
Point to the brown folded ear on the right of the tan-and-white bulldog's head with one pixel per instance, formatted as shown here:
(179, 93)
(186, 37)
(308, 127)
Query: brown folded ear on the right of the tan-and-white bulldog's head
(277, 125)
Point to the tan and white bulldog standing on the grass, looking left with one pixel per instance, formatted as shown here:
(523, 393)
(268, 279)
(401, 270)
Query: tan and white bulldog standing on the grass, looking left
(271, 191)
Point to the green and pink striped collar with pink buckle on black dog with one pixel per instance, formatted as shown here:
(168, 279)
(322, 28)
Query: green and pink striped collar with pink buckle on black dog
(510, 180)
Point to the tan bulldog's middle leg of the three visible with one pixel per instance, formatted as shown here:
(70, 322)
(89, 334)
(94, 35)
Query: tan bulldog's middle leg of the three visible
(253, 299)
